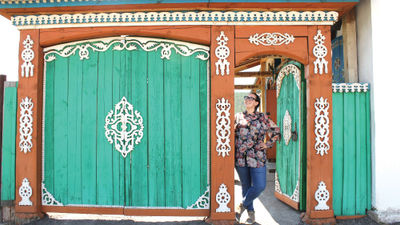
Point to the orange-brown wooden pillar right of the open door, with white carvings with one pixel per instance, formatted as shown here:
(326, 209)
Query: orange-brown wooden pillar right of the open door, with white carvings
(319, 127)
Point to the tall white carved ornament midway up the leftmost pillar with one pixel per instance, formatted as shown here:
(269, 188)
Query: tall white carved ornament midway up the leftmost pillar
(25, 125)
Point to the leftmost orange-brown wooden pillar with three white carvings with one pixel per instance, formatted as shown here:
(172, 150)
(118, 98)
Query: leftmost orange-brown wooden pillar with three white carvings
(29, 125)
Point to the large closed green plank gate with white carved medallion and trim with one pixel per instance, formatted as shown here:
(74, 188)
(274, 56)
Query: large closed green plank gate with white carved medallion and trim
(146, 96)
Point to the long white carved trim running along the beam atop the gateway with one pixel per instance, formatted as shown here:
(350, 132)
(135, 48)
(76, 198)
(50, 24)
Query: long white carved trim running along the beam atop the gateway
(176, 18)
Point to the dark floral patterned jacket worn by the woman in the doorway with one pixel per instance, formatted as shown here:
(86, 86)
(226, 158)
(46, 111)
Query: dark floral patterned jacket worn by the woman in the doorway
(250, 131)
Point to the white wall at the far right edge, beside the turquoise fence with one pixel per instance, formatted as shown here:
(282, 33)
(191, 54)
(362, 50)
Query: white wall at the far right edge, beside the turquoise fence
(378, 48)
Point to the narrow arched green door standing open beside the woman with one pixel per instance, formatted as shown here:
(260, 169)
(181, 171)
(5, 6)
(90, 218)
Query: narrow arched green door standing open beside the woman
(290, 155)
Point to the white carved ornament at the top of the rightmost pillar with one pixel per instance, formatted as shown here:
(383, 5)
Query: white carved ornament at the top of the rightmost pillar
(320, 51)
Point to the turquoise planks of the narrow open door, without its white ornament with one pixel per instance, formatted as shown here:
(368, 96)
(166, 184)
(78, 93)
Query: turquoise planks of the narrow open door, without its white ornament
(290, 158)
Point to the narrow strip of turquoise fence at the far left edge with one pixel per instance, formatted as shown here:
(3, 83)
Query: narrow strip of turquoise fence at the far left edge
(9, 145)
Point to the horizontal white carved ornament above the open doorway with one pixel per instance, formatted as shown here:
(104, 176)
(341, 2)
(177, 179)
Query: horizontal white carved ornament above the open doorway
(268, 39)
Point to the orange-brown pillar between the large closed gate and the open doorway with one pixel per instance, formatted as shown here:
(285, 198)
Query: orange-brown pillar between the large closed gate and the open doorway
(222, 124)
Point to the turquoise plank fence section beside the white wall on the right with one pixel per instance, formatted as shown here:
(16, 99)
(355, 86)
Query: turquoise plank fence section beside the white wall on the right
(351, 153)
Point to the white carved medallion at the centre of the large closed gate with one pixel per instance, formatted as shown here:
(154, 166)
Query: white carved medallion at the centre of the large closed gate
(124, 127)
